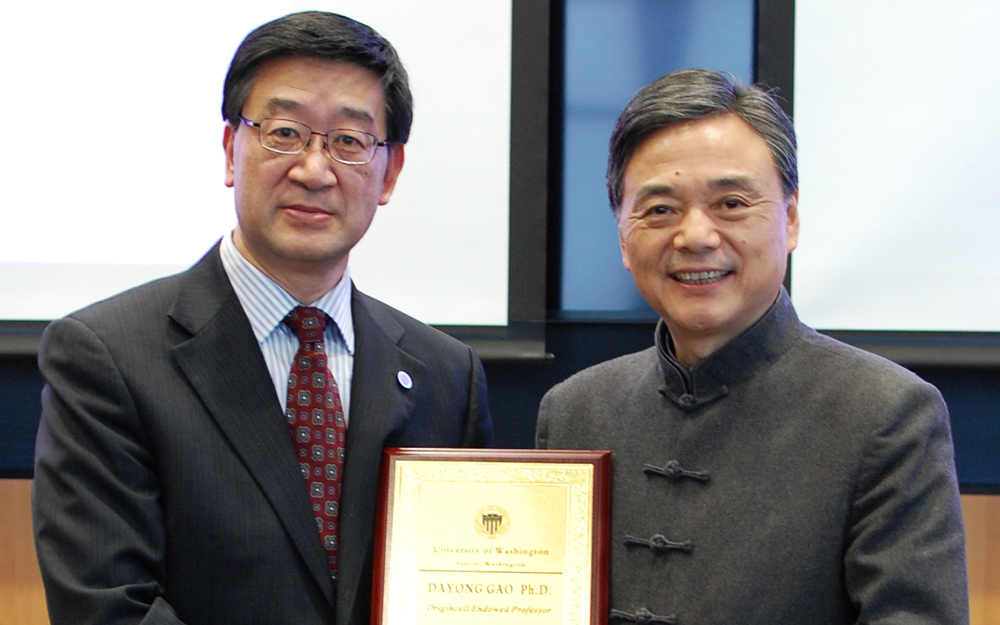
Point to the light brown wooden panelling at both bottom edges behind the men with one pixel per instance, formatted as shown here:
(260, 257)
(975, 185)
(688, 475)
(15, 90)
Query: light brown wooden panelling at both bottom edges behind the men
(22, 601)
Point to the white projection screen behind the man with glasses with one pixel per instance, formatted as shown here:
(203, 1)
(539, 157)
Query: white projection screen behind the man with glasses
(114, 165)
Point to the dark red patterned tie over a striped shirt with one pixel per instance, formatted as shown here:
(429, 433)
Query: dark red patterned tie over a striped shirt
(316, 419)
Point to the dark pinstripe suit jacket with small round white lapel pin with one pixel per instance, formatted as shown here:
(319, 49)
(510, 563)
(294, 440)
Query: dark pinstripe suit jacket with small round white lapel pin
(166, 485)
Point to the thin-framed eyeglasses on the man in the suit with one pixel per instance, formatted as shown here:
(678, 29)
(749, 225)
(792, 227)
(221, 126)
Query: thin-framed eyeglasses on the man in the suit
(285, 136)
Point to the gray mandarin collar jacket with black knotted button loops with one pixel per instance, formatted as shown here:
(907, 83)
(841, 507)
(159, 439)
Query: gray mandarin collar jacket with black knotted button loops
(787, 478)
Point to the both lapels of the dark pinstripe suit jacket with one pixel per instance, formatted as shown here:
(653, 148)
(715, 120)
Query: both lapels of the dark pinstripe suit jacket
(241, 399)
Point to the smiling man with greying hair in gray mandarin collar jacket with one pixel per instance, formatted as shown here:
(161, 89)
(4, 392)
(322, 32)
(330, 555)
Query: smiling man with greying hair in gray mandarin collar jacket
(762, 473)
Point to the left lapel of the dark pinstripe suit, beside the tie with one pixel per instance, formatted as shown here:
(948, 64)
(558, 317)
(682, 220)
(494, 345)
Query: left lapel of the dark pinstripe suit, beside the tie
(224, 364)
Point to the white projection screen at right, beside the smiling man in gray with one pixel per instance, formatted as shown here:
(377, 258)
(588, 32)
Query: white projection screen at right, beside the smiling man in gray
(895, 106)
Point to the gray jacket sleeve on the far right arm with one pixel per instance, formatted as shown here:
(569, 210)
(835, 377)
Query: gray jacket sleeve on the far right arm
(905, 545)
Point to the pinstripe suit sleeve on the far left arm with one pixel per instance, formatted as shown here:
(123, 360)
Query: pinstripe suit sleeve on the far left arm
(99, 528)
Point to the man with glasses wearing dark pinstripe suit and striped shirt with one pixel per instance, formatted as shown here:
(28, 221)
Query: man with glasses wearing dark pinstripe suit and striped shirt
(167, 488)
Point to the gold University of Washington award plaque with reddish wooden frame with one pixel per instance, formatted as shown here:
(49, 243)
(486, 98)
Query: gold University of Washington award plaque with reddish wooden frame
(492, 537)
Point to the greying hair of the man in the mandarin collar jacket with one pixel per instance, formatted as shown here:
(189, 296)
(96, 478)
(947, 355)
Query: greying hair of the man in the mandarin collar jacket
(692, 94)
